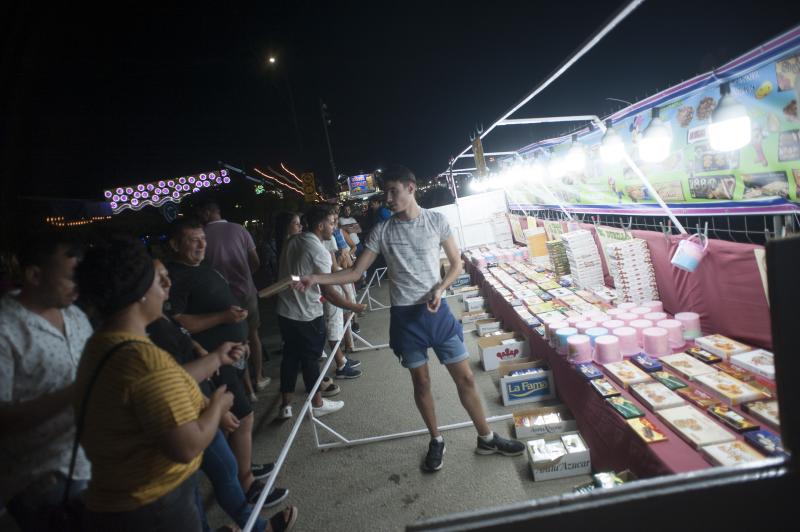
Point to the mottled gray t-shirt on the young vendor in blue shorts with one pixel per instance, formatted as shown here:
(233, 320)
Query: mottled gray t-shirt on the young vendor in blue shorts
(411, 250)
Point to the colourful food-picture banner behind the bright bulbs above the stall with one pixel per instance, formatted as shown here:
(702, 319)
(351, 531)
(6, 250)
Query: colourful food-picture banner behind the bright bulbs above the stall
(761, 177)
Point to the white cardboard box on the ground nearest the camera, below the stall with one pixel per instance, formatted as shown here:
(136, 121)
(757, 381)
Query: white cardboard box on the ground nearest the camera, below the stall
(549, 460)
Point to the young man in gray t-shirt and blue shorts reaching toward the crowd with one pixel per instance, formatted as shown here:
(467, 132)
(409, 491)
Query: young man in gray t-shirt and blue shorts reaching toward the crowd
(420, 319)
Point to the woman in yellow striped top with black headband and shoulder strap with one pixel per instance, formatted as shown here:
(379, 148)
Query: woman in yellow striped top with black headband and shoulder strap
(145, 423)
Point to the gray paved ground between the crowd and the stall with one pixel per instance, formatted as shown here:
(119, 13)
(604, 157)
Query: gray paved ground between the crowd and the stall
(379, 486)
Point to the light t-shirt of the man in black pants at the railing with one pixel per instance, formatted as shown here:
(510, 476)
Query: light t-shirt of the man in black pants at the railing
(302, 254)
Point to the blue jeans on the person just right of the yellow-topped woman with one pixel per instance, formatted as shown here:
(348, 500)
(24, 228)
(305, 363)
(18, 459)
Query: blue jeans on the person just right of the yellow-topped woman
(219, 465)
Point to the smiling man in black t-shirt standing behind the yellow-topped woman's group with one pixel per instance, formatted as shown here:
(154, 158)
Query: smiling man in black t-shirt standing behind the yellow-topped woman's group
(202, 302)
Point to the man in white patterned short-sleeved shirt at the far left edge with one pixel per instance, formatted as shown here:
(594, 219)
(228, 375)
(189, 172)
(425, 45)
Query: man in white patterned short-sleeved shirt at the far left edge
(42, 336)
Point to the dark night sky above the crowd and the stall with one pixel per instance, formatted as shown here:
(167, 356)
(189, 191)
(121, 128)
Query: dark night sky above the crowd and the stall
(106, 97)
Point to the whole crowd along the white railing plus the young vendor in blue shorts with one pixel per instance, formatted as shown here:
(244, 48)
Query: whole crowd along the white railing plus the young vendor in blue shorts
(122, 374)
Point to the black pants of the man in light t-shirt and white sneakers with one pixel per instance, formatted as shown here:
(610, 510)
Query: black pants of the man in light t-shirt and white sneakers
(302, 346)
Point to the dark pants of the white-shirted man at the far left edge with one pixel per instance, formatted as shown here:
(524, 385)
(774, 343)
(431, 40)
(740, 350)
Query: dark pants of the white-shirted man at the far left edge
(32, 507)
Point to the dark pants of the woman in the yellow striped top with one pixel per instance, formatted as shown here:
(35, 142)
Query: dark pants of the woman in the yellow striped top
(175, 511)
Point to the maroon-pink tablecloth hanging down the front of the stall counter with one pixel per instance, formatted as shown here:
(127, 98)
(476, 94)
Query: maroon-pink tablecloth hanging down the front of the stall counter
(613, 445)
